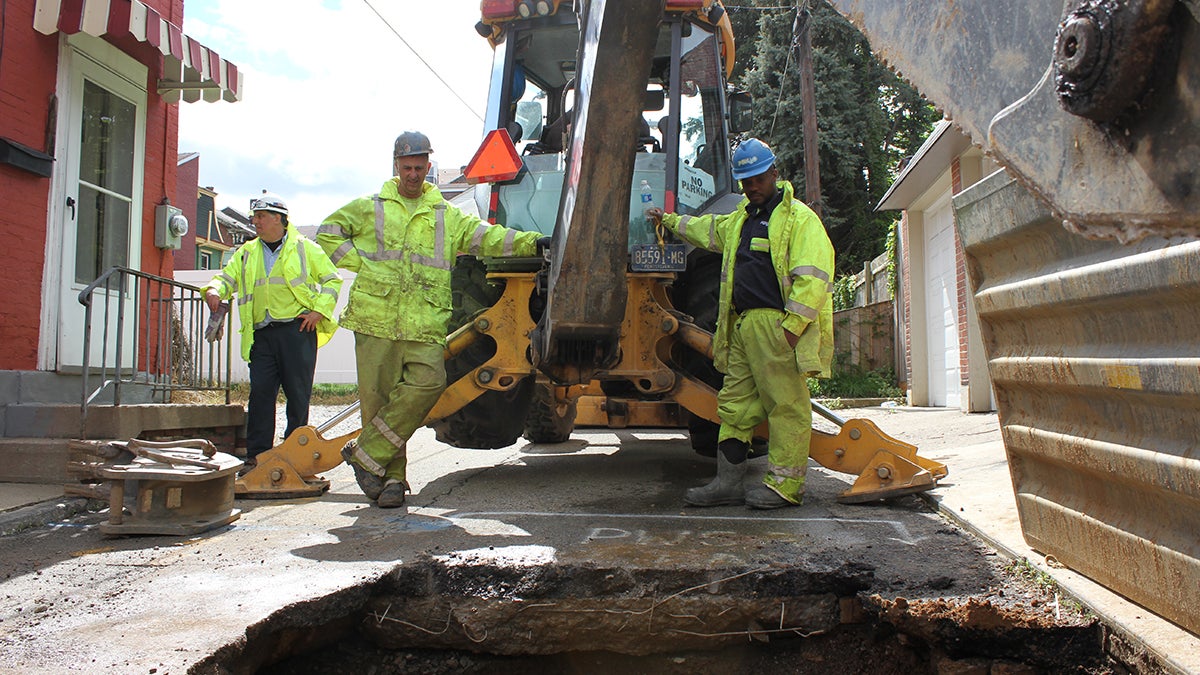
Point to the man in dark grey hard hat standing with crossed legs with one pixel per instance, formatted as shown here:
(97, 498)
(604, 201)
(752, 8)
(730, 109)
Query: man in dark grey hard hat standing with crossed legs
(404, 243)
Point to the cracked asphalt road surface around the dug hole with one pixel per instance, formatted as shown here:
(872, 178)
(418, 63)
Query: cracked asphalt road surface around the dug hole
(75, 600)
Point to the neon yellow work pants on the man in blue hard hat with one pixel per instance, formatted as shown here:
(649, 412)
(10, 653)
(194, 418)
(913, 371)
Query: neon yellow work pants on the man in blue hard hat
(764, 383)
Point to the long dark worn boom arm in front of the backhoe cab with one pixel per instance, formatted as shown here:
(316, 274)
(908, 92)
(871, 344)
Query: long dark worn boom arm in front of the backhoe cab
(580, 331)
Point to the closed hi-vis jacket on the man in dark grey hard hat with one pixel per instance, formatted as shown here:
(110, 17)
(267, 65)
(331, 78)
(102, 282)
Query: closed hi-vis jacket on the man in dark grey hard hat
(404, 261)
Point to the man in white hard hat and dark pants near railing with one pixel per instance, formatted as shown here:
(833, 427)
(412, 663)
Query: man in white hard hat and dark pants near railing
(287, 292)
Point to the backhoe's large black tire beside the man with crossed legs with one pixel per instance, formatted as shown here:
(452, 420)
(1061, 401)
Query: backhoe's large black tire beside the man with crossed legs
(496, 419)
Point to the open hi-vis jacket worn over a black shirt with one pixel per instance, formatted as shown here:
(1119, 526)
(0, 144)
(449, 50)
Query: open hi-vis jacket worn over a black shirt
(803, 260)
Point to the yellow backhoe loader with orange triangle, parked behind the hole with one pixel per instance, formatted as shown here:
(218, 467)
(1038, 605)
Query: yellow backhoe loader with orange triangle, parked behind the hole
(602, 109)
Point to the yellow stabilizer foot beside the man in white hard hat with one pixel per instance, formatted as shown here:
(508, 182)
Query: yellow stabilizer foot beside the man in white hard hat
(290, 470)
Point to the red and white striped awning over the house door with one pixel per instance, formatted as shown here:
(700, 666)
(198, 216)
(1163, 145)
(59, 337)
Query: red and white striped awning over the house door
(190, 70)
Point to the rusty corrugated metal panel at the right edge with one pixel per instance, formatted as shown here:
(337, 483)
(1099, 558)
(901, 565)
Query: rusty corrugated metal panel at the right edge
(1095, 353)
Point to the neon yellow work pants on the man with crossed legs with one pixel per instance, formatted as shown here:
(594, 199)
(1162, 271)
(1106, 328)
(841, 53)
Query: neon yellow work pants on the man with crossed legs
(399, 384)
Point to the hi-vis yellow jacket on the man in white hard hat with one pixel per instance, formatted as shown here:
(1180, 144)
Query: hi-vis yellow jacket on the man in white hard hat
(302, 279)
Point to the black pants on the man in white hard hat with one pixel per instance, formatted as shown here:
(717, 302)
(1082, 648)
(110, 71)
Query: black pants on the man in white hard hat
(285, 357)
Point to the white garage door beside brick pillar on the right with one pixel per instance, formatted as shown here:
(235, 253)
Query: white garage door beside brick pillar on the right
(941, 306)
